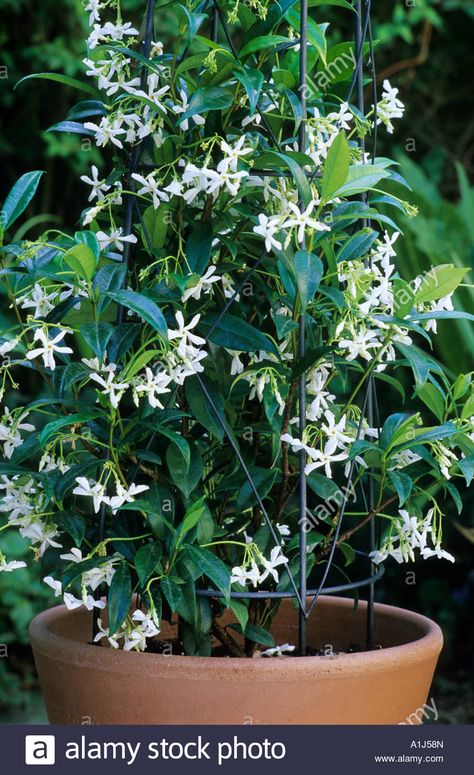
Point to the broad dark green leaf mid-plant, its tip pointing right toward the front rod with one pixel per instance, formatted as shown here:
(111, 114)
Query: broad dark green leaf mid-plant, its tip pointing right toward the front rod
(235, 334)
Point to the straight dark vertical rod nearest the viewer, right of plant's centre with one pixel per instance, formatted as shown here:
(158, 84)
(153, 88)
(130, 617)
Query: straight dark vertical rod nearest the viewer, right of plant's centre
(301, 355)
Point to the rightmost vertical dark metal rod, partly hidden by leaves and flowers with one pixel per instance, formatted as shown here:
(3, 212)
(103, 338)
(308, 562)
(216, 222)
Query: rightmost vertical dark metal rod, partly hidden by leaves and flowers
(371, 385)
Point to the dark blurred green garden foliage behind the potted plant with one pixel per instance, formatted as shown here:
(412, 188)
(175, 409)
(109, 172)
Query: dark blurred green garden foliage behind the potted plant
(425, 48)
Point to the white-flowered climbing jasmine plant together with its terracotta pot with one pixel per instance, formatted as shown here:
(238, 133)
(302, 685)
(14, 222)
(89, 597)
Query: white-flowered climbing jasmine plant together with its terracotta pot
(207, 342)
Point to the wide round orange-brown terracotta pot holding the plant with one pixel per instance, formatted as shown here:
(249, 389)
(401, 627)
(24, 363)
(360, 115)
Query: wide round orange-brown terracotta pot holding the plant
(85, 684)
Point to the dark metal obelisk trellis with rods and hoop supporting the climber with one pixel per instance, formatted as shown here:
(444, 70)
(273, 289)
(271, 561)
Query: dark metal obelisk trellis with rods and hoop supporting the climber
(306, 598)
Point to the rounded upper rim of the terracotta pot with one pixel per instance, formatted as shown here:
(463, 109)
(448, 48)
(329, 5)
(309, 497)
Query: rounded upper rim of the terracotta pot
(430, 642)
